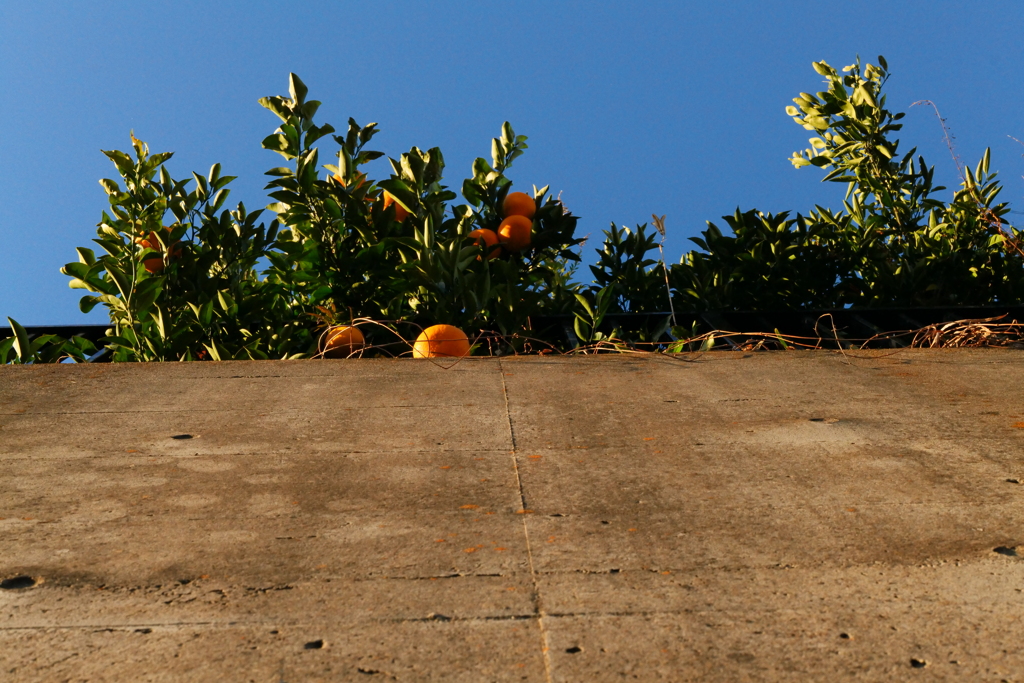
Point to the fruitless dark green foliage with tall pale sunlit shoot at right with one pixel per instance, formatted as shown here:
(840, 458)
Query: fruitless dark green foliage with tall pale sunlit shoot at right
(893, 244)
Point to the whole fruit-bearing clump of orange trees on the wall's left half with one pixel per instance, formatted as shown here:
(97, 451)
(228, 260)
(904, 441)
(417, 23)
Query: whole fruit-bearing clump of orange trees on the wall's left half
(179, 274)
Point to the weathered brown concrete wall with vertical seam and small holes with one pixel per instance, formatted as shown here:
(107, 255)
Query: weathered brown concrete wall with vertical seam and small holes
(777, 517)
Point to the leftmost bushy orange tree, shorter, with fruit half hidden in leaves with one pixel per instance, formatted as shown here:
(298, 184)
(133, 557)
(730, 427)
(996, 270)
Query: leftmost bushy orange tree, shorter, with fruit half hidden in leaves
(178, 276)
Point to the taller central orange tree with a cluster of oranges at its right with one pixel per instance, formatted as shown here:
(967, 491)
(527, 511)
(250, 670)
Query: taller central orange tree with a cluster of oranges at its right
(398, 248)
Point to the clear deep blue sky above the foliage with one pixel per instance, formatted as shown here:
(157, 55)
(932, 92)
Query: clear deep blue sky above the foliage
(631, 108)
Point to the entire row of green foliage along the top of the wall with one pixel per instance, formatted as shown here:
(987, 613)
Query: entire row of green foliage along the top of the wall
(183, 278)
